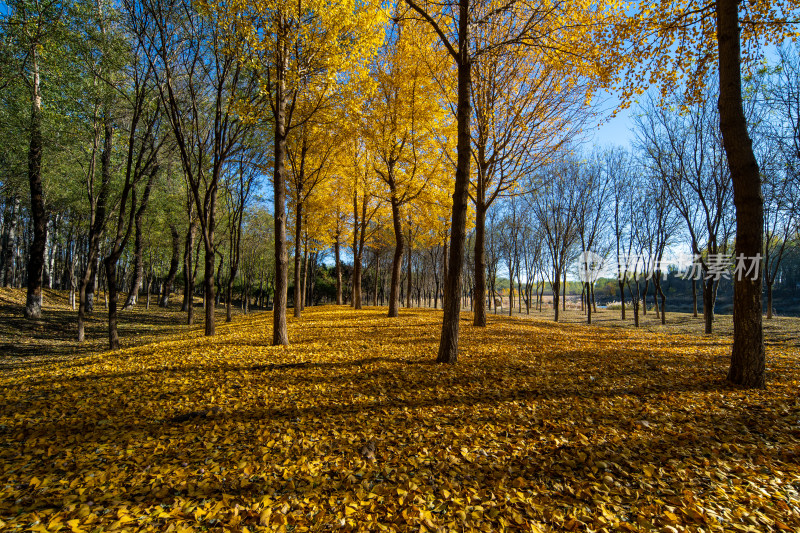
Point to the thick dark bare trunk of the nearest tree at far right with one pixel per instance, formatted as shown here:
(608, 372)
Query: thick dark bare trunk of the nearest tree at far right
(747, 357)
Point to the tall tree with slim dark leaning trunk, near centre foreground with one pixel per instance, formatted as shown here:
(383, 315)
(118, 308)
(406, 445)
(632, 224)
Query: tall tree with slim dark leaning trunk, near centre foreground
(566, 29)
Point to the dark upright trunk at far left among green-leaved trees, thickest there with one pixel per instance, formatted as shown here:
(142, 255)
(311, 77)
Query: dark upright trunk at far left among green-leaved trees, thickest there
(33, 302)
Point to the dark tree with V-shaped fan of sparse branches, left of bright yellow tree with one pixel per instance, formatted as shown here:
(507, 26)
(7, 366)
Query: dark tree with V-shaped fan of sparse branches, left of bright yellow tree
(204, 82)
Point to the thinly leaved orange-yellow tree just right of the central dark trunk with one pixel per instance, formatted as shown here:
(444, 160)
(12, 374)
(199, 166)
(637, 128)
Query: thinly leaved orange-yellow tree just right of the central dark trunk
(526, 105)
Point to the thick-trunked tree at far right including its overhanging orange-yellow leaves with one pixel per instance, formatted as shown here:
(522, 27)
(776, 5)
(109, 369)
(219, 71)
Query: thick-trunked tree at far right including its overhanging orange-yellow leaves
(690, 37)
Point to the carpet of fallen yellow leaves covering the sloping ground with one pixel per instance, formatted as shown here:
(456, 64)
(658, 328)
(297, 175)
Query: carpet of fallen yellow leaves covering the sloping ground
(539, 427)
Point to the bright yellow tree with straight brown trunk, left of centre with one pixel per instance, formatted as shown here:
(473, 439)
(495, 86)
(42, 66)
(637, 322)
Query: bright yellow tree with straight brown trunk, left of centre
(303, 50)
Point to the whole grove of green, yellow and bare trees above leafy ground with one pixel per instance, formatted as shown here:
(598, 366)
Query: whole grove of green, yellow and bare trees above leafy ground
(413, 154)
